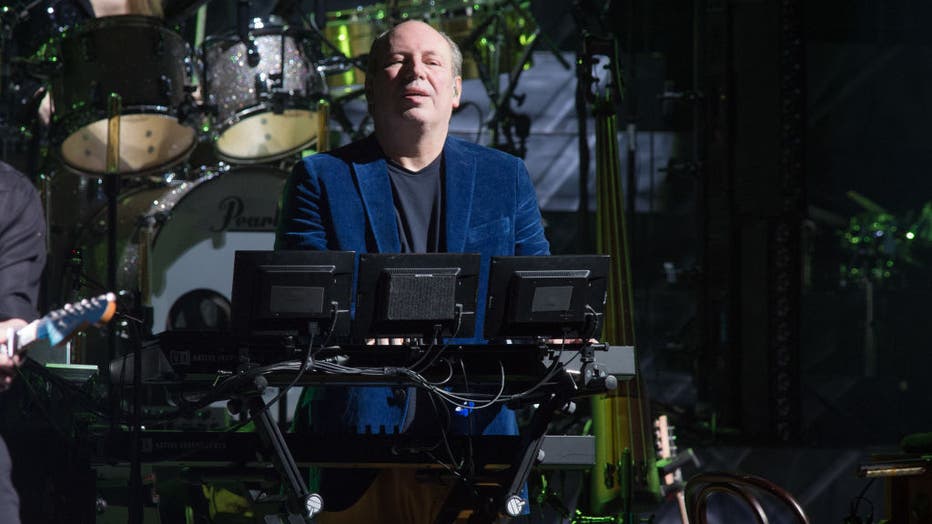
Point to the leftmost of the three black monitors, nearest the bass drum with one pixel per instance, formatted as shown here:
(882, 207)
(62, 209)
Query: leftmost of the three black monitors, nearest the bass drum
(292, 292)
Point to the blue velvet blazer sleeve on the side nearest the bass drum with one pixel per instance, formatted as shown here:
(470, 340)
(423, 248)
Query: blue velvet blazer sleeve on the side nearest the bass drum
(301, 224)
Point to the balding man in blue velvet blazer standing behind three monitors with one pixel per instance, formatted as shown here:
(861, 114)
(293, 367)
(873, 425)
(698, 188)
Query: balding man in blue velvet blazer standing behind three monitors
(409, 187)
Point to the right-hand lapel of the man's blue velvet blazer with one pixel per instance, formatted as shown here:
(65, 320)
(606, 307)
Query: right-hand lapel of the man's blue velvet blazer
(460, 179)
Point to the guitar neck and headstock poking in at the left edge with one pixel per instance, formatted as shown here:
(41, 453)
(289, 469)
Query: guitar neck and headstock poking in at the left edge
(59, 325)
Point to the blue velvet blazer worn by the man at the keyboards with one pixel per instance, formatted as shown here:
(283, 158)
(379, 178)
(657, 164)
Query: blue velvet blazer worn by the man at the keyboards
(342, 200)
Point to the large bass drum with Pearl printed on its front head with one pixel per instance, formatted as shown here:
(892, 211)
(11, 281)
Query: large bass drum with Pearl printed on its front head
(186, 266)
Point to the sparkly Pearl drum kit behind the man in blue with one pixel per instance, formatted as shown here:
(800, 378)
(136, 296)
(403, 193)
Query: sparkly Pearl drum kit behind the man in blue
(133, 201)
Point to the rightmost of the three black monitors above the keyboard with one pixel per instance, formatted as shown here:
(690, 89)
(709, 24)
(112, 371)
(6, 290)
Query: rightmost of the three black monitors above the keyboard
(559, 296)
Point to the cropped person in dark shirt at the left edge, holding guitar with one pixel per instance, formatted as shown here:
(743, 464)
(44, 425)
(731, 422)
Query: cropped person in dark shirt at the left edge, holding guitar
(22, 258)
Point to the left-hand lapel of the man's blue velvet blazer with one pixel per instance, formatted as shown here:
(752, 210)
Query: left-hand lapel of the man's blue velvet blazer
(376, 191)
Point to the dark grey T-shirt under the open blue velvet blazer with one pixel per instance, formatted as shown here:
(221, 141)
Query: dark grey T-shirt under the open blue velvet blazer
(418, 199)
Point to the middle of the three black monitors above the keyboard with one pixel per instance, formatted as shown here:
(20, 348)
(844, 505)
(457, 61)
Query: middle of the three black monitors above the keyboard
(423, 295)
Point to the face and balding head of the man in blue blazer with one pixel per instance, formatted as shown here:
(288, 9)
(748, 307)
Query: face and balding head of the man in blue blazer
(414, 78)
